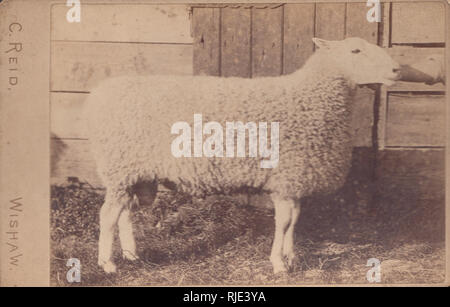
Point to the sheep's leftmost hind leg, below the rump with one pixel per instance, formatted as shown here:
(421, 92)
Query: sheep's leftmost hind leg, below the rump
(115, 202)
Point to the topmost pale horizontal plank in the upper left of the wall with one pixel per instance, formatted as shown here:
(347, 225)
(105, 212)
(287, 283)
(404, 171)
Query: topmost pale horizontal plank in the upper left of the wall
(124, 23)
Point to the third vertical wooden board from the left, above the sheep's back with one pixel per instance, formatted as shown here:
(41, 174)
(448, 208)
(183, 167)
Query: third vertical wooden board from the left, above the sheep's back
(267, 41)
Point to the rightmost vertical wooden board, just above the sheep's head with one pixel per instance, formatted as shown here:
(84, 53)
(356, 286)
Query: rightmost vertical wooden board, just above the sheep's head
(357, 24)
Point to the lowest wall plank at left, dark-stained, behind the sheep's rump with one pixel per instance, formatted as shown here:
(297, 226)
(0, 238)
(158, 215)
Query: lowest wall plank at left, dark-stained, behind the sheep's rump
(72, 158)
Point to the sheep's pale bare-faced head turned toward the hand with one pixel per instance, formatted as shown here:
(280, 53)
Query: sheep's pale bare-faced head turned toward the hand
(360, 61)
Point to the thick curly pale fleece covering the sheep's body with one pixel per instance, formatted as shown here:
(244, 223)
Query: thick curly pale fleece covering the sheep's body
(130, 119)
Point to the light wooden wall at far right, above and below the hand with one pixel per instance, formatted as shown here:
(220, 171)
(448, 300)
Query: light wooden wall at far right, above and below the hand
(412, 115)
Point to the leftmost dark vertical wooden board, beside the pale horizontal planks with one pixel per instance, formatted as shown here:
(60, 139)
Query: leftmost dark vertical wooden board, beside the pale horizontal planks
(205, 28)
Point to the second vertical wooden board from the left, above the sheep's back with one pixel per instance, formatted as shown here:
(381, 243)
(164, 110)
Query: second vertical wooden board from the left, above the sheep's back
(236, 45)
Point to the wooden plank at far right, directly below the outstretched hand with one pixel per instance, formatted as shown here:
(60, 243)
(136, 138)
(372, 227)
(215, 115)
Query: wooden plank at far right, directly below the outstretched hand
(415, 120)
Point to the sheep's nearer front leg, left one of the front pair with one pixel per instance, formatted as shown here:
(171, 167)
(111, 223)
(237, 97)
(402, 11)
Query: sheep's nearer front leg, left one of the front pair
(283, 213)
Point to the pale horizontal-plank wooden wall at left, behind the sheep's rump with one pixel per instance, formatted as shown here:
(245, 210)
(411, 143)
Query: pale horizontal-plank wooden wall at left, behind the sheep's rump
(111, 40)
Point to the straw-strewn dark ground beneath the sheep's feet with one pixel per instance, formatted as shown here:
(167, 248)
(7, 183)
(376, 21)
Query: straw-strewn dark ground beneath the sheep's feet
(220, 241)
